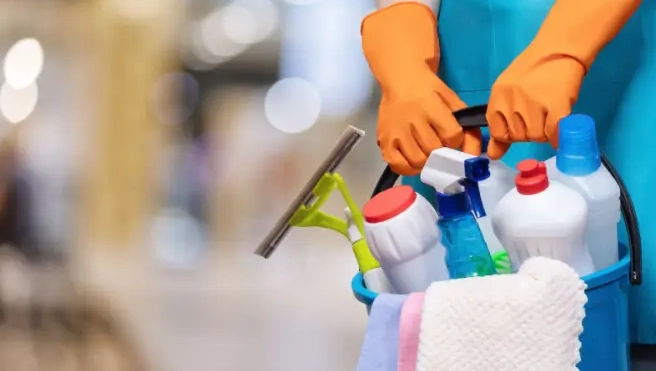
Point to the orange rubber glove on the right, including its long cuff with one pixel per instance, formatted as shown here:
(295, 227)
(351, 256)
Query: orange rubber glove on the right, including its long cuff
(542, 84)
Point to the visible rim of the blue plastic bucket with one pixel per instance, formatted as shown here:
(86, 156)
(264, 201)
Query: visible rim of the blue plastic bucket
(595, 280)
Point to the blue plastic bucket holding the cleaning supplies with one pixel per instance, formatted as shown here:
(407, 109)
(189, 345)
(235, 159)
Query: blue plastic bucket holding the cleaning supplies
(605, 339)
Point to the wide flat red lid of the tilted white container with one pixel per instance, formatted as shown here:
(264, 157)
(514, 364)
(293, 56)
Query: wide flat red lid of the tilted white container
(388, 204)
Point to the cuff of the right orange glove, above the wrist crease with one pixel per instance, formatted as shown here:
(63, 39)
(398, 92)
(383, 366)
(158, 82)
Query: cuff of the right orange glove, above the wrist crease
(580, 29)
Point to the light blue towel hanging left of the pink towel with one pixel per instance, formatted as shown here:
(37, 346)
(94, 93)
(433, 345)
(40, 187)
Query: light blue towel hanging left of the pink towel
(380, 350)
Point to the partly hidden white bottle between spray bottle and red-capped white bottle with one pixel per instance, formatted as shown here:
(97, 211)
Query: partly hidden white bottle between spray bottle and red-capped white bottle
(492, 190)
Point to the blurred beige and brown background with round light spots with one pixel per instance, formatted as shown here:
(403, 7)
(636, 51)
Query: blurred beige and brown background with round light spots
(146, 147)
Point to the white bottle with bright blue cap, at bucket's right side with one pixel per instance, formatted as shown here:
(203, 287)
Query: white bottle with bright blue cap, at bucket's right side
(577, 165)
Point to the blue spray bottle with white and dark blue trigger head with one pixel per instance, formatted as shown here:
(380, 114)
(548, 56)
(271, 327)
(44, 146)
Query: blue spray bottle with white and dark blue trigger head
(455, 176)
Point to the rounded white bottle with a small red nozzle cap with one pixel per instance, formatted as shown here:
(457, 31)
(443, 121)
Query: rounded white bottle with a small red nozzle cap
(542, 218)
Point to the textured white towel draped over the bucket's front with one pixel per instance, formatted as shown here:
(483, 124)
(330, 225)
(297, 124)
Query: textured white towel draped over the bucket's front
(526, 321)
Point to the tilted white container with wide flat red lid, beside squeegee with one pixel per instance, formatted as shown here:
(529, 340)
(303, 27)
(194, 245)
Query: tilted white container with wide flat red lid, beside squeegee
(401, 232)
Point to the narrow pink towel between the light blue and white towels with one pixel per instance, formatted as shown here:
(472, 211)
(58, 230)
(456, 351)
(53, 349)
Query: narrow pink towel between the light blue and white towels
(409, 331)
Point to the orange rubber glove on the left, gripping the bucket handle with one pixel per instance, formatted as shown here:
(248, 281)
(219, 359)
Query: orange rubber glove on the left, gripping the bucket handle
(415, 114)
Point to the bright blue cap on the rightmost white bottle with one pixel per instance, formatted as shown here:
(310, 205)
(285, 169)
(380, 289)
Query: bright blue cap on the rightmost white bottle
(578, 151)
